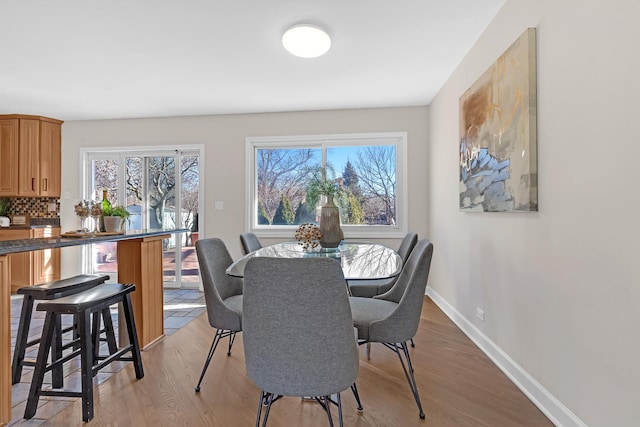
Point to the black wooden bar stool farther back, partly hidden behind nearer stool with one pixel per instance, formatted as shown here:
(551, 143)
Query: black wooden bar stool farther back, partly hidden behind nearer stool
(46, 291)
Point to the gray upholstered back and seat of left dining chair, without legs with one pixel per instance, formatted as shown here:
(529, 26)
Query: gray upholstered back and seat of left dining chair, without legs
(214, 259)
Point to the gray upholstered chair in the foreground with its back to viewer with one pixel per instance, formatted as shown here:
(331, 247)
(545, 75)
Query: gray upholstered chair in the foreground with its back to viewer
(298, 331)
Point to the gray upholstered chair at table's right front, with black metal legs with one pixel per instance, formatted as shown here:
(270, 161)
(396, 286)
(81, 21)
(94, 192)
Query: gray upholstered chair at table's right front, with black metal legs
(393, 317)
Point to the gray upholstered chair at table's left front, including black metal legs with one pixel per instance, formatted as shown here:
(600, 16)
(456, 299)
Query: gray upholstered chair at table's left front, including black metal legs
(222, 293)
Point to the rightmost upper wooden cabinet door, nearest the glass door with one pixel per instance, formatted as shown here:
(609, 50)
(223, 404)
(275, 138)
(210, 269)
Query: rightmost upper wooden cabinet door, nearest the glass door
(50, 159)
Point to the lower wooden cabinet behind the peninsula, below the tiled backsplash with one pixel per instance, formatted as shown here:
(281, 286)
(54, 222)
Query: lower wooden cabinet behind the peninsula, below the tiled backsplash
(32, 268)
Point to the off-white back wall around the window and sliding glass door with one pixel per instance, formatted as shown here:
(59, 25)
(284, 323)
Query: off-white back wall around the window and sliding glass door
(223, 167)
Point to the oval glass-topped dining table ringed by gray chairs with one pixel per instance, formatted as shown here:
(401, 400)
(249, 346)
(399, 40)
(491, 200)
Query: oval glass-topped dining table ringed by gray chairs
(359, 260)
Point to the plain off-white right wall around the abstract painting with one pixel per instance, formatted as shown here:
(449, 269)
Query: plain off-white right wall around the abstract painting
(561, 287)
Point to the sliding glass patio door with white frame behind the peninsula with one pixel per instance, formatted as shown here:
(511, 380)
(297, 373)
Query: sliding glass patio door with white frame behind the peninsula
(160, 190)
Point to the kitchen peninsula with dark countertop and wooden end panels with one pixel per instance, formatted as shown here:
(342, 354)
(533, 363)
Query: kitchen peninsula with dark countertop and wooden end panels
(139, 256)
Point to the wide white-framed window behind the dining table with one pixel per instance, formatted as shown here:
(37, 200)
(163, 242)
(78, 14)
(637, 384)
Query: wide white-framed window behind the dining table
(368, 168)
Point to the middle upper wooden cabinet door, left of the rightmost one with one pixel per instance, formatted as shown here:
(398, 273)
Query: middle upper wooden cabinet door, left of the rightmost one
(29, 158)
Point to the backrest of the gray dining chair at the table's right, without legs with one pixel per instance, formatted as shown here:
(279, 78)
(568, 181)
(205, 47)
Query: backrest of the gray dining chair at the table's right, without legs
(408, 294)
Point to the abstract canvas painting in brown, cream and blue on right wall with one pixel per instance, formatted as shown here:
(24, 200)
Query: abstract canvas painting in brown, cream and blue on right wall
(498, 140)
